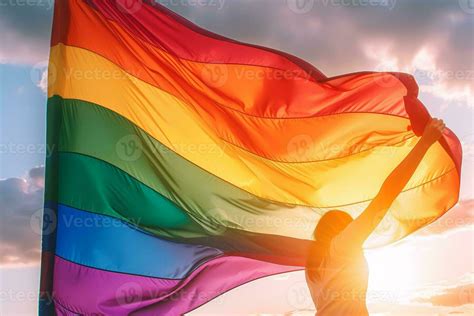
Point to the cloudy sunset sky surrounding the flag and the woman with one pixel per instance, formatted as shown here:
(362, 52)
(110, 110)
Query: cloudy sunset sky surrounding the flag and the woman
(428, 273)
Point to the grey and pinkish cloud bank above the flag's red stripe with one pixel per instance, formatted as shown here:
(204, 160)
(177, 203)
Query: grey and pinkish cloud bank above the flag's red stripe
(432, 41)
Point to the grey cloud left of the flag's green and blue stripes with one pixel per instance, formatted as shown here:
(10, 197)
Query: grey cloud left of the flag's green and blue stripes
(21, 201)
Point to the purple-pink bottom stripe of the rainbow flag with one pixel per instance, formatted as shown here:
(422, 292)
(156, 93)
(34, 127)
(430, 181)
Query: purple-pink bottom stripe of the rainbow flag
(84, 290)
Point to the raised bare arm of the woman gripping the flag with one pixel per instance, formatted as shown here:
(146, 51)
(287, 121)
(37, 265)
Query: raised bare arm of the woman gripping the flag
(359, 230)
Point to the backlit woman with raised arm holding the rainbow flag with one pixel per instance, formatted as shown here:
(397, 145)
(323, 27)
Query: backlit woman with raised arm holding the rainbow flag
(336, 271)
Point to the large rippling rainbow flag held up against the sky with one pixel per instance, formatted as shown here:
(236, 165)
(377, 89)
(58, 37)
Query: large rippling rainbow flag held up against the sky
(186, 164)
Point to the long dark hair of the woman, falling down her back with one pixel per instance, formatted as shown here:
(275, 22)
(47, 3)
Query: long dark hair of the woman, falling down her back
(329, 226)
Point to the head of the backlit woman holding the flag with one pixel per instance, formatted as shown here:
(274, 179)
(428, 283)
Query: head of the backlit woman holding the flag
(331, 224)
